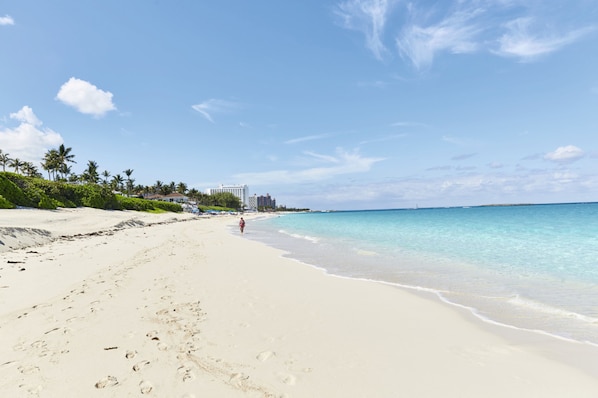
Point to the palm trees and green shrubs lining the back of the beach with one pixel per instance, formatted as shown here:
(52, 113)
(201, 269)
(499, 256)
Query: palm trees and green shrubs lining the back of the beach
(92, 188)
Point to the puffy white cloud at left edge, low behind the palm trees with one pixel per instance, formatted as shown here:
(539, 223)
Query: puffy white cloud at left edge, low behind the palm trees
(28, 141)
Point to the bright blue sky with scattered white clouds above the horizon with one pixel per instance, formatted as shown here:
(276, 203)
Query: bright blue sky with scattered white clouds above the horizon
(322, 104)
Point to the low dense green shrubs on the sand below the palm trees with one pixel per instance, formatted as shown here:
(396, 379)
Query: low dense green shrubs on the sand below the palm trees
(17, 190)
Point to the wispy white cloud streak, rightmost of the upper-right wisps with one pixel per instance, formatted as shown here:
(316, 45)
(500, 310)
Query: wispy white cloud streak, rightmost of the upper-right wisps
(522, 42)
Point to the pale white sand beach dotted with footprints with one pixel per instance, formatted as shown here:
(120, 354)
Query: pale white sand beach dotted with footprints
(123, 304)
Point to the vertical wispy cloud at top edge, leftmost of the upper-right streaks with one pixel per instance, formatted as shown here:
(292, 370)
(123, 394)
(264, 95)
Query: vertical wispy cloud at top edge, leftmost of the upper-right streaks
(369, 17)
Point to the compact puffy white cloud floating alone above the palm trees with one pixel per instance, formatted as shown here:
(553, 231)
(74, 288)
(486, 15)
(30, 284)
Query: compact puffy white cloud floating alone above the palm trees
(85, 97)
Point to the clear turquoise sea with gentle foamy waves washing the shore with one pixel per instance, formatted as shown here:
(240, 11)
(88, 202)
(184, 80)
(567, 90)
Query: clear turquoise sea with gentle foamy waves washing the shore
(532, 267)
